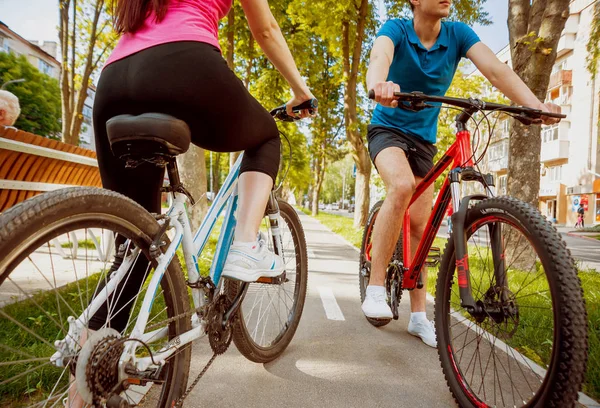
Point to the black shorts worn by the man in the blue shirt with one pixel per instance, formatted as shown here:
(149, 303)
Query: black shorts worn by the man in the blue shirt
(419, 153)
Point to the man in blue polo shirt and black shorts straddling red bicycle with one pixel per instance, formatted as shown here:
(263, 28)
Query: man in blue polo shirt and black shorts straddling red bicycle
(421, 54)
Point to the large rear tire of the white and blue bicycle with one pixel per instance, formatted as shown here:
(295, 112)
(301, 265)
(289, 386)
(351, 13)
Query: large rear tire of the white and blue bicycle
(40, 218)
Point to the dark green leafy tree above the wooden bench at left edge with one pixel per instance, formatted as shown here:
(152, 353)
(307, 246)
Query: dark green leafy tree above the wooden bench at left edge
(39, 96)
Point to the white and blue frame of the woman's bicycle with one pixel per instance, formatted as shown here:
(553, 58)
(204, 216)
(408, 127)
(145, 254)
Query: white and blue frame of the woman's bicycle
(192, 245)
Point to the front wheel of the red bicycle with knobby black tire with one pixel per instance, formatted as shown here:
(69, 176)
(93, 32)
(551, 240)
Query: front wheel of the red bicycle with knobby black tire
(529, 346)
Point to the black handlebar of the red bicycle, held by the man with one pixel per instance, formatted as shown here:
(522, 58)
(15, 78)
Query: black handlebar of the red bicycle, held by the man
(418, 101)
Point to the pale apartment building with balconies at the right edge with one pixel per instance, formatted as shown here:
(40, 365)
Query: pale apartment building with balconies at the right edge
(570, 152)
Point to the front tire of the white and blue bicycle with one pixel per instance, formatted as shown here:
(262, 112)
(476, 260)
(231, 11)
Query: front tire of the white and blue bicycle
(241, 335)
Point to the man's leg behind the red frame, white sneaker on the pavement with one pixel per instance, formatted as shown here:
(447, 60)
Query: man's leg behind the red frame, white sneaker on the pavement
(420, 211)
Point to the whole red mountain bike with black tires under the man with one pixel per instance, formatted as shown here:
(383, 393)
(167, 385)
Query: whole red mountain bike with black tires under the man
(510, 318)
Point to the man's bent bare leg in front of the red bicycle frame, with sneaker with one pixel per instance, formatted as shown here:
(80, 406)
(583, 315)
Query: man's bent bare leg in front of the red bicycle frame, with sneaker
(399, 181)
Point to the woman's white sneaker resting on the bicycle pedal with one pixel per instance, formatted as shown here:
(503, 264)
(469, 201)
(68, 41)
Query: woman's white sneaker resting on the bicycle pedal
(248, 263)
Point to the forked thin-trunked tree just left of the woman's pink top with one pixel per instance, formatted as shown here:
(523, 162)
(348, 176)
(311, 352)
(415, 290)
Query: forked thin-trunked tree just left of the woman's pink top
(86, 39)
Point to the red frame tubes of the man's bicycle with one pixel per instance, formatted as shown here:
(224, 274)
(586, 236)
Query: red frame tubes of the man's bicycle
(458, 155)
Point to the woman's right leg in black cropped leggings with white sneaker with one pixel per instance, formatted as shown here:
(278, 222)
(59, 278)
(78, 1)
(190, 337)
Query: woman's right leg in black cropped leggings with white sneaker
(192, 82)
